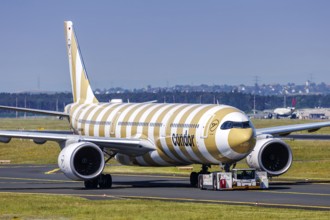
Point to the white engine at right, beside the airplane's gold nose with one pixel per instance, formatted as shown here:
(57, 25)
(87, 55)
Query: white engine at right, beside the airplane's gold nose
(271, 155)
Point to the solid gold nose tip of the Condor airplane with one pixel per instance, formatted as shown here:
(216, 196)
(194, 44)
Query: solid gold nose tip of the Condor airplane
(241, 140)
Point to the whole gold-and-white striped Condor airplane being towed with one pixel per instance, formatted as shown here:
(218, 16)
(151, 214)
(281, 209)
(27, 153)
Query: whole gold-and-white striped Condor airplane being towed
(154, 134)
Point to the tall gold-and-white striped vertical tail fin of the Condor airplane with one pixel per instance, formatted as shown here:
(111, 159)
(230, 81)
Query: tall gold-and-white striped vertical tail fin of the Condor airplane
(81, 89)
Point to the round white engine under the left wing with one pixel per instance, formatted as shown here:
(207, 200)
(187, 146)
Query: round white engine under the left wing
(81, 161)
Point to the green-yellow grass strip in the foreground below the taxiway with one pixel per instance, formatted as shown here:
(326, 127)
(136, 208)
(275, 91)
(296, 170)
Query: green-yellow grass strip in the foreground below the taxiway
(22, 206)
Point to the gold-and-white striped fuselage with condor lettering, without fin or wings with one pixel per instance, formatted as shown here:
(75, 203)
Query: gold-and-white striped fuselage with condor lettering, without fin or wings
(180, 133)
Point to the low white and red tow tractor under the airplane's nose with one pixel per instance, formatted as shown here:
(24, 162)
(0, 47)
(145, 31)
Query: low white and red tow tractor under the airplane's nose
(236, 179)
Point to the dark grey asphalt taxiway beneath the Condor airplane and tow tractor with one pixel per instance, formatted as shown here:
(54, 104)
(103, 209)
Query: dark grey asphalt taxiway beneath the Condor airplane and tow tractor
(46, 179)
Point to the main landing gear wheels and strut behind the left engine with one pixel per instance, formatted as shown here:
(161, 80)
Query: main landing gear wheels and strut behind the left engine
(103, 181)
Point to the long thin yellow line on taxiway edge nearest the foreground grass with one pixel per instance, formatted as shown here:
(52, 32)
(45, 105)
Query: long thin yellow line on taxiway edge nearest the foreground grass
(323, 208)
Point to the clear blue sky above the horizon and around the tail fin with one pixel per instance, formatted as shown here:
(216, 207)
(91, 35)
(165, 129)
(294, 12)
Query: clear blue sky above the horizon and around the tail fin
(133, 44)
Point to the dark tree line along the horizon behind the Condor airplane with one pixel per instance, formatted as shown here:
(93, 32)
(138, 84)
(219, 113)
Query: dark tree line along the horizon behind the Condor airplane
(244, 102)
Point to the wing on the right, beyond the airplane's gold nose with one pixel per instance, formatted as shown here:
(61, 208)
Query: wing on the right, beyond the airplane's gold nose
(287, 129)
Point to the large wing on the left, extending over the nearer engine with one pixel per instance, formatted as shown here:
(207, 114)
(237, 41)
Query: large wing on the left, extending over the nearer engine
(128, 146)
